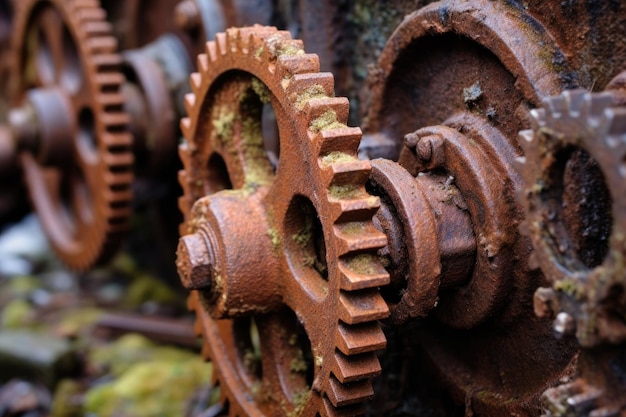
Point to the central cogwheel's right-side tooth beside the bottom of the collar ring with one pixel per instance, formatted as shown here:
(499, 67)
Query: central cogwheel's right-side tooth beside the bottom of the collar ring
(362, 306)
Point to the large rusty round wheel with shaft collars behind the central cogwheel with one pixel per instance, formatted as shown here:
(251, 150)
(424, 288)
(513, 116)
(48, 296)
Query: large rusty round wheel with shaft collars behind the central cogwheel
(451, 91)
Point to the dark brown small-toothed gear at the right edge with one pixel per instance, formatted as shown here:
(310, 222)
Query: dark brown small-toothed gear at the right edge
(574, 173)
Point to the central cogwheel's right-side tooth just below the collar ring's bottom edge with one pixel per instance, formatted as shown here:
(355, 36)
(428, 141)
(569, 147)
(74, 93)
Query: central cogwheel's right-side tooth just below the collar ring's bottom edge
(360, 338)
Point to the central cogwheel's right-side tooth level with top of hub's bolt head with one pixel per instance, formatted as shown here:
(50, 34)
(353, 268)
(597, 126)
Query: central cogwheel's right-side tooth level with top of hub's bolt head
(358, 237)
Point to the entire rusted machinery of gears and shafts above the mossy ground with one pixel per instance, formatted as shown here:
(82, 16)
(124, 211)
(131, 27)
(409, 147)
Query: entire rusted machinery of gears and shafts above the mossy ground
(462, 255)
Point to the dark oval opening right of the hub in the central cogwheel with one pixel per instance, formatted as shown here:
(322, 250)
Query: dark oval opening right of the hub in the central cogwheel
(304, 241)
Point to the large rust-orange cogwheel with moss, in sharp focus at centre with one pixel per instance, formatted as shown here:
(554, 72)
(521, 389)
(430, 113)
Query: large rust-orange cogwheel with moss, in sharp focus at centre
(278, 241)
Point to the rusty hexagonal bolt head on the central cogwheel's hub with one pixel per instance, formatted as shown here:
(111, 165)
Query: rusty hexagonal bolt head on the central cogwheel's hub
(193, 262)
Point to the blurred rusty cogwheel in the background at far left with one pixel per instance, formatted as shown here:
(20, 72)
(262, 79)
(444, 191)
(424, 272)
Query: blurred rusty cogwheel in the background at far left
(78, 160)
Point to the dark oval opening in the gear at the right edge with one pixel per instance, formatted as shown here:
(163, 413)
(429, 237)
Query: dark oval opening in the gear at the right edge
(576, 201)
